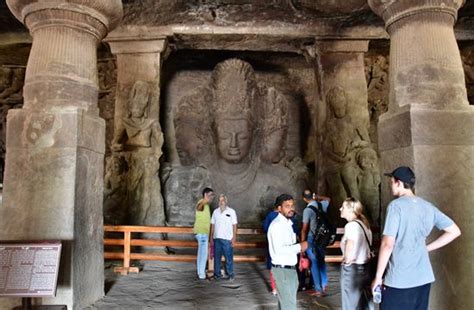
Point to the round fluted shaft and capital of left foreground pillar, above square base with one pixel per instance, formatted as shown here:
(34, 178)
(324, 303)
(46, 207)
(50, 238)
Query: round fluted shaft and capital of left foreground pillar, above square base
(62, 67)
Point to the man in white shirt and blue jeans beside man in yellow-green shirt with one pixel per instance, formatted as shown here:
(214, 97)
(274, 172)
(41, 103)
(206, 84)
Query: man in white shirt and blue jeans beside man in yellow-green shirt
(224, 234)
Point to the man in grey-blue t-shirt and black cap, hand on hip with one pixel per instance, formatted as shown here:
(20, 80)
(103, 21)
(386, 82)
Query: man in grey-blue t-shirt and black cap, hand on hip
(409, 221)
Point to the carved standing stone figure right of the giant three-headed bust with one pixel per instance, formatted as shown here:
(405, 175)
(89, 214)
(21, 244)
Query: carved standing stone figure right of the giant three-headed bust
(351, 166)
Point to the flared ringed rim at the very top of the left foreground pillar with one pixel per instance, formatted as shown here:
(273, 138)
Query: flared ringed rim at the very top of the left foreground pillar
(94, 17)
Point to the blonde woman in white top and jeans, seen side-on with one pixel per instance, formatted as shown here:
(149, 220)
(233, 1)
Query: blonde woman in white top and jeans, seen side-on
(355, 275)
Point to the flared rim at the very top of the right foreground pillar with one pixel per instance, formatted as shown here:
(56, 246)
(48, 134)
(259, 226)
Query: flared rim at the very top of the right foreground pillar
(394, 10)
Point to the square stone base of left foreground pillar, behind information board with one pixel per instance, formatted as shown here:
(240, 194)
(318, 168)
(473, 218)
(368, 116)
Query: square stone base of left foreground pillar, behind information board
(53, 191)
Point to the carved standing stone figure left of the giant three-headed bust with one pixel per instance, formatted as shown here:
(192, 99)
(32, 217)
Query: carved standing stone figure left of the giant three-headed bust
(132, 186)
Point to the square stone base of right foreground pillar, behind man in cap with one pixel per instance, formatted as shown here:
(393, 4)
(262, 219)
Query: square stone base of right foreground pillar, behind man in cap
(439, 146)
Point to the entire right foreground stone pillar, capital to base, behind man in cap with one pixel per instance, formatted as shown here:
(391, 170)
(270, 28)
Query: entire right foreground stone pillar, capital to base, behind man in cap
(429, 127)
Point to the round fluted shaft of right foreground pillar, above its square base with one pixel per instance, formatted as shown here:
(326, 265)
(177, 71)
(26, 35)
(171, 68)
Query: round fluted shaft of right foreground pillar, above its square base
(424, 54)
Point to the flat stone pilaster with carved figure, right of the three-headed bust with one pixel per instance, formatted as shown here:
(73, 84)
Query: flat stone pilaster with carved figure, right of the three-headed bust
(344, 121)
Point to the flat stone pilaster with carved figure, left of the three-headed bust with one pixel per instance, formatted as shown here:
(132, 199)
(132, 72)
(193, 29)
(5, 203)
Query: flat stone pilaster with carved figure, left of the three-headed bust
(139, 60)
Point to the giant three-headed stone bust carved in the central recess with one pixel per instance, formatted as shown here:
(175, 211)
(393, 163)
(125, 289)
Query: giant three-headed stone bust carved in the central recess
(233, 134)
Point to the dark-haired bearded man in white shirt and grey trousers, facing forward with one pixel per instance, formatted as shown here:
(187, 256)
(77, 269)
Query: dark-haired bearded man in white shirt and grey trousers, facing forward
(283, 251)
